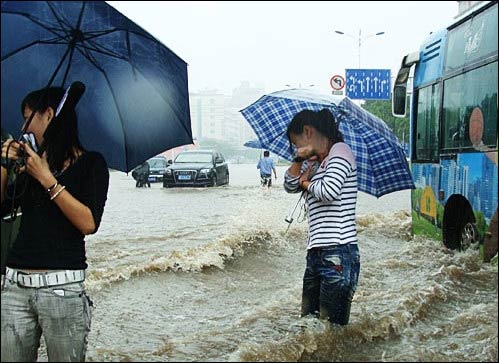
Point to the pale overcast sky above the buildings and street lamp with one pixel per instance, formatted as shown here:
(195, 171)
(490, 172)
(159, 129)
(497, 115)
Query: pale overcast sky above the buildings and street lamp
(272, 44)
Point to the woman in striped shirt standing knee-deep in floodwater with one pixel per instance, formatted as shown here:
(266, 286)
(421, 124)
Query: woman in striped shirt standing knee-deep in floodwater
(324, 168)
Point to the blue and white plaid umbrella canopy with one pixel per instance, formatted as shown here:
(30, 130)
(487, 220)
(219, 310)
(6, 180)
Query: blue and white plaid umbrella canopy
(381, 164)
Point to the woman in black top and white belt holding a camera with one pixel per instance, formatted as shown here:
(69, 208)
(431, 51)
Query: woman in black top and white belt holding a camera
(62, 191)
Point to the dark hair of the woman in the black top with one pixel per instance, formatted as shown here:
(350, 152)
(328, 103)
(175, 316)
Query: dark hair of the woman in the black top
(61, 141)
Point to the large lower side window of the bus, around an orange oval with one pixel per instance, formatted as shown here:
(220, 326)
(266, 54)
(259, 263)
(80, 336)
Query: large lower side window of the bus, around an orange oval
(462, 95)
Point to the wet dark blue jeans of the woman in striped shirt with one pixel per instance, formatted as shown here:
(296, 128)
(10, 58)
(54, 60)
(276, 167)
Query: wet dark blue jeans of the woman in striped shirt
(330, 281)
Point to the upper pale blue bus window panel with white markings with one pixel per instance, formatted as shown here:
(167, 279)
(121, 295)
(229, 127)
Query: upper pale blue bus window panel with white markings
(472, 40)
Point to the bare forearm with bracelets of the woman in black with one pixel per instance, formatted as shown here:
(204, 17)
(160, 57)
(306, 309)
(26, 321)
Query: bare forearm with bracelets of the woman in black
(75, 211)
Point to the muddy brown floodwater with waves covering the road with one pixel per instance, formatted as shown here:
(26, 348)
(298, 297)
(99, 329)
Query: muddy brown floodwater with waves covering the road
(210, 274)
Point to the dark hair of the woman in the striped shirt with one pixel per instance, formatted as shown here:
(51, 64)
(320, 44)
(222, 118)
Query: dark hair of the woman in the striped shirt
(323, 121)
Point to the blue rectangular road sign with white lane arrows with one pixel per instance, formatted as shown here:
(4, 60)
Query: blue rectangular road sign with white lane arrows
(368, 84)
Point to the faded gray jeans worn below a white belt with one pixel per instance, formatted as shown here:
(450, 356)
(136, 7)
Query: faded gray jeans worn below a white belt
(62, 313)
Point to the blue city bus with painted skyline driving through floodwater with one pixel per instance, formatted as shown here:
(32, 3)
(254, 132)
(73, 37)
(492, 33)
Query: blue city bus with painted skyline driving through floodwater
(452, 103)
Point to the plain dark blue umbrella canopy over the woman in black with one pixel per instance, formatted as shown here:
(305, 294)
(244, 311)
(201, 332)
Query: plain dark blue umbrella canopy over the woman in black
(136, 103)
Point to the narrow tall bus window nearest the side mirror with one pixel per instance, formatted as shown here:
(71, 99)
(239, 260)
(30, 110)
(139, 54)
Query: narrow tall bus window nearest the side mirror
(426, 124)
